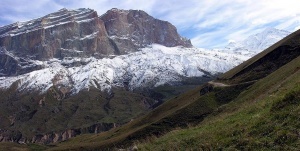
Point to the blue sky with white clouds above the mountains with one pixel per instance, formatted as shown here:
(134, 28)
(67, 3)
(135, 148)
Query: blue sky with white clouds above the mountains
(208, 23)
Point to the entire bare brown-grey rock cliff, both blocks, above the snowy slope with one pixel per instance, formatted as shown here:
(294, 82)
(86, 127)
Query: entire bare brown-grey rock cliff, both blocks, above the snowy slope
(80, 33)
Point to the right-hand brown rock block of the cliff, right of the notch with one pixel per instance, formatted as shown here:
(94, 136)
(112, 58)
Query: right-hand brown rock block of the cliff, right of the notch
(133, 29)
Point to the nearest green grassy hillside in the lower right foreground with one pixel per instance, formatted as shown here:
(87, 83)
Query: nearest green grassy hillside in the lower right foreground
(264, 117)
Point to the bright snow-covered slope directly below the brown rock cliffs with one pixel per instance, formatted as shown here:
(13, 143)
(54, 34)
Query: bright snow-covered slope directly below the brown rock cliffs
(152, 66)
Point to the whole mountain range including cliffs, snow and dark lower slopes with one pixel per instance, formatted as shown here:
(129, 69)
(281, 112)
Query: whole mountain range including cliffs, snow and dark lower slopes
(73, 72)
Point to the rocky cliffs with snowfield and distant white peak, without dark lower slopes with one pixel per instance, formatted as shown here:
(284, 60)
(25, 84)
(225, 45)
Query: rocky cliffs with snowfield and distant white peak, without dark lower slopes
(160, 61)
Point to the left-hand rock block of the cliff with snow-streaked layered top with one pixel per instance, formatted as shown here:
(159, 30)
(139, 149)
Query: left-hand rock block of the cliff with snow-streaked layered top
(66, 33)
